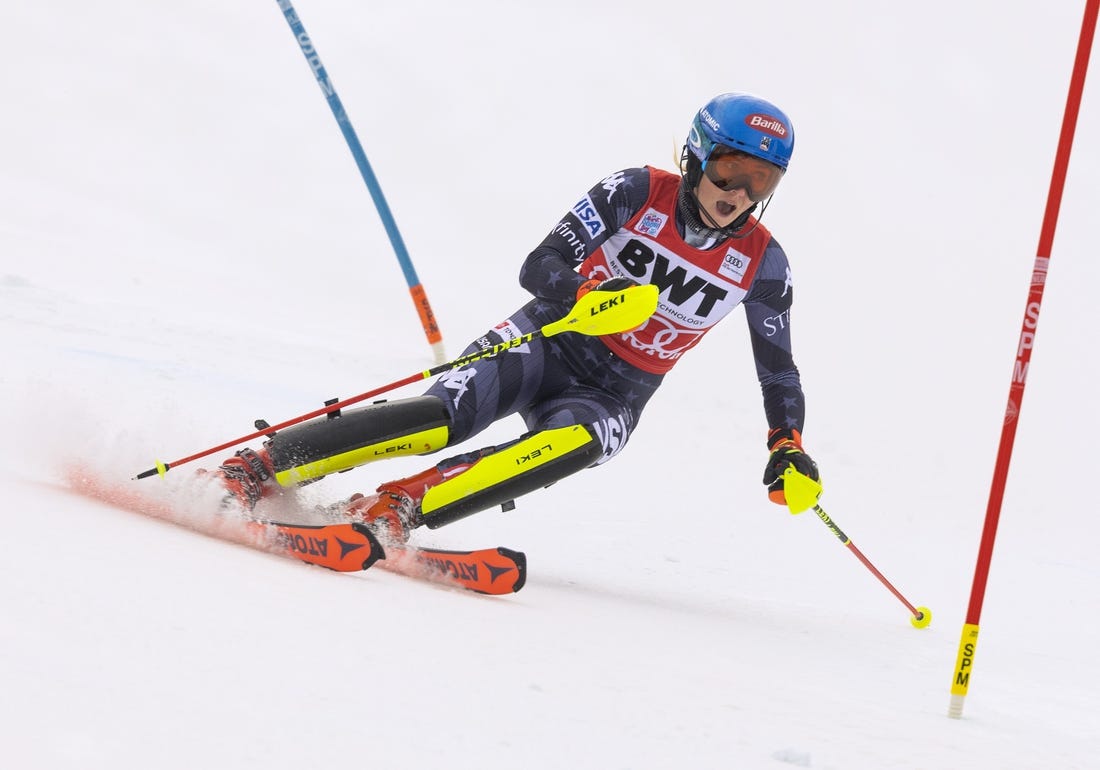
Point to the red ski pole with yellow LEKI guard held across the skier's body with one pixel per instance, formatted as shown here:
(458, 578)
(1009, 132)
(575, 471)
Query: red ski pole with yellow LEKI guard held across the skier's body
(596, 314)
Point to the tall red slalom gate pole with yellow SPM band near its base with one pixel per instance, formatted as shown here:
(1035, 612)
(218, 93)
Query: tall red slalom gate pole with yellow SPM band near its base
(969, 644)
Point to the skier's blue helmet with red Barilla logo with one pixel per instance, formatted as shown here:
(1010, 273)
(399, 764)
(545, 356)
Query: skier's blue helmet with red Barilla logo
(744, 123)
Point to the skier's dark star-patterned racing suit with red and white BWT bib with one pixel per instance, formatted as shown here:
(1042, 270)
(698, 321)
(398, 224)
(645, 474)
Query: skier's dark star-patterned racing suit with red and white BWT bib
(633, 225)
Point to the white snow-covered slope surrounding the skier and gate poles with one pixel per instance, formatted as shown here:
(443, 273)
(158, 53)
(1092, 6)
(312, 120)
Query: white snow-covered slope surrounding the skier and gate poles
(188, 246)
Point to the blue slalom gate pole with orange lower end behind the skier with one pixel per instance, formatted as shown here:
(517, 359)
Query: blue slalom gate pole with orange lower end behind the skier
(416, 290)
